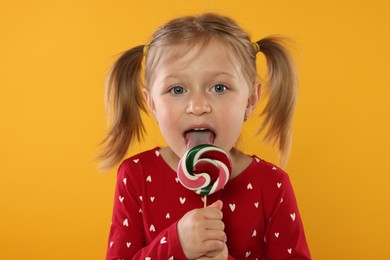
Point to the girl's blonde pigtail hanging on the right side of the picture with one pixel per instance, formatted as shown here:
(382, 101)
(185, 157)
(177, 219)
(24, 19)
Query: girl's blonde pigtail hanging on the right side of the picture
(282, 80)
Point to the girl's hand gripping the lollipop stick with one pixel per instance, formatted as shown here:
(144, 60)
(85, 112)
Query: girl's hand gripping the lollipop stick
(202, 231)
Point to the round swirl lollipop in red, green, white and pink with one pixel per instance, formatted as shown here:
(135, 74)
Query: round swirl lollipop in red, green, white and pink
(204, 169)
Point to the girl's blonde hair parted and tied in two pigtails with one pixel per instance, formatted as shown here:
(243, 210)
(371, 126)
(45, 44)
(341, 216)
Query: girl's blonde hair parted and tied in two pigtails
(124, 99)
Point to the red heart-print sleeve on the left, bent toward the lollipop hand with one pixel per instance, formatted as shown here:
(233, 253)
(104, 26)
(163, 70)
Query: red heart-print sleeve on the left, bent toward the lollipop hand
(127, 237)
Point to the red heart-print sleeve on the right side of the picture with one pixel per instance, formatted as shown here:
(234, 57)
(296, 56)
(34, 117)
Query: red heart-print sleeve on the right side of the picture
(284, 237)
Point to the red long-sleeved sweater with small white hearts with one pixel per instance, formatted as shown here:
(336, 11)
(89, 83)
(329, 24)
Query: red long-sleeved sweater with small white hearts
(260, 212)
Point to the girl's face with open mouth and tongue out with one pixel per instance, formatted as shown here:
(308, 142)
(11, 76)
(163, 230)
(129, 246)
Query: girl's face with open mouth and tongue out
(200, 95)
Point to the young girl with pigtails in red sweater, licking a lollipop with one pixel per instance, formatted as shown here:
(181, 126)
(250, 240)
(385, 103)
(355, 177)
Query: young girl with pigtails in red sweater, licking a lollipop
(200, 83)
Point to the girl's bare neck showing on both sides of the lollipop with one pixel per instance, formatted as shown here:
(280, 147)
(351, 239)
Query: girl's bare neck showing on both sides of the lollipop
(240, 161)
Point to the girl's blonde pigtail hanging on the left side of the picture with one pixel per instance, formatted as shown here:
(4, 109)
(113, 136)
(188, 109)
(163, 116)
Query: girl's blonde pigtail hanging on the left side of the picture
(124, 103)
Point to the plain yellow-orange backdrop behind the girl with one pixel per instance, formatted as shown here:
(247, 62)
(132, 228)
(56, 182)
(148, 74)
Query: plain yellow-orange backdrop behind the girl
(54, 56)
